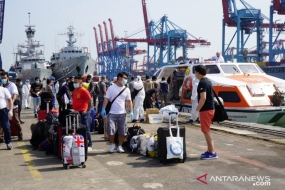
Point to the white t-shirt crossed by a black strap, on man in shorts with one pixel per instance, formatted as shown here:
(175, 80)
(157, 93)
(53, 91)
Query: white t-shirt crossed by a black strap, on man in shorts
(119, 105)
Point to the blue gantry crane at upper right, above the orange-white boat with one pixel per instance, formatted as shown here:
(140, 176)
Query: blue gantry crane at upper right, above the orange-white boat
(247, 21)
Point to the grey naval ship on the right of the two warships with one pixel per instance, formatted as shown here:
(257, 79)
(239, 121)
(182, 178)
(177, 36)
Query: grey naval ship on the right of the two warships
(72, 60)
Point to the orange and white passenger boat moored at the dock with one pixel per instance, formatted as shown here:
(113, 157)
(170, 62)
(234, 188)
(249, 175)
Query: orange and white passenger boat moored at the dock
(248, 93)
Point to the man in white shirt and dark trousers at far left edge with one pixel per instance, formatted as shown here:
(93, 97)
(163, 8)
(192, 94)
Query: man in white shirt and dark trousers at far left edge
(12, 88)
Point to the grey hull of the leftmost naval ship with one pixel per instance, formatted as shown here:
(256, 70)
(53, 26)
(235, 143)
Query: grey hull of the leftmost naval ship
(32, 73)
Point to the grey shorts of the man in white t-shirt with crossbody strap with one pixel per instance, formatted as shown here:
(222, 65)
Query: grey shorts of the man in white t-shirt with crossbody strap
(116, 122)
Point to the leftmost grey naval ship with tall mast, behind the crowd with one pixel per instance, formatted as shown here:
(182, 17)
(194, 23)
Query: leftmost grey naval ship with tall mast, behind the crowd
(32, 62)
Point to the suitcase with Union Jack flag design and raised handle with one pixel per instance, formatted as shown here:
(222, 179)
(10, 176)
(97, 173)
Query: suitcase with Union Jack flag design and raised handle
(73, 144)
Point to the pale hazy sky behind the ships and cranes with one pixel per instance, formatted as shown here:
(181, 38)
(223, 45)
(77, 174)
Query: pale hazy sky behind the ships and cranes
(201, 18)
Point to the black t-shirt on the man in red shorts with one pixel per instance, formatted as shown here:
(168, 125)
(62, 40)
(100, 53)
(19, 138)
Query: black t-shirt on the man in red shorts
(205, 85)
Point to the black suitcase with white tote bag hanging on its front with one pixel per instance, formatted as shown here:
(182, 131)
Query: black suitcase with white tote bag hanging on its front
(162, 133)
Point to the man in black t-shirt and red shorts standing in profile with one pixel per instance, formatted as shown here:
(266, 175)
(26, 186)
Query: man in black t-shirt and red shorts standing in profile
(206, 108)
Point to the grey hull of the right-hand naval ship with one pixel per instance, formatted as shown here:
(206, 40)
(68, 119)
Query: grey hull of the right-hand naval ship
(82, 65)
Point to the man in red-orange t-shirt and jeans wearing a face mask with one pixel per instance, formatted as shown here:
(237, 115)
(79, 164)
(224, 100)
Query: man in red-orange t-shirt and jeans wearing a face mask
(81, 102)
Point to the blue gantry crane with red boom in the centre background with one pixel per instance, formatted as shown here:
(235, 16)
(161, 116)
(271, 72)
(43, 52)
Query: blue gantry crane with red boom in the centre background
(166, 38)
